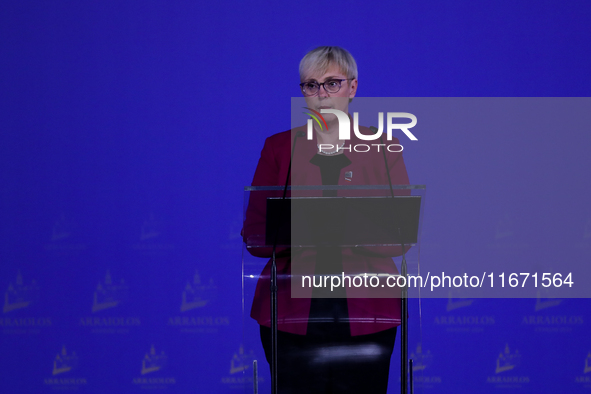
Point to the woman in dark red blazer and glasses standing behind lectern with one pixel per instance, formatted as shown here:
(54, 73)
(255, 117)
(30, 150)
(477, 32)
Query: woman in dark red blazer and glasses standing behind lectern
(341, 344)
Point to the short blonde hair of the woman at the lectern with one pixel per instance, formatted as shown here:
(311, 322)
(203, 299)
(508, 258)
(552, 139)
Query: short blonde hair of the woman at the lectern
(321, 58)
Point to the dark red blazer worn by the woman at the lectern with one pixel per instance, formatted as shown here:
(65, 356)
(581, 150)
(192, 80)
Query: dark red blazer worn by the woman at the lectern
(367, 315)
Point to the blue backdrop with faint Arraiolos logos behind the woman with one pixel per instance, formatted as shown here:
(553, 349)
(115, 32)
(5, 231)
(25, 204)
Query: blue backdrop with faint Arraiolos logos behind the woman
(130, 128)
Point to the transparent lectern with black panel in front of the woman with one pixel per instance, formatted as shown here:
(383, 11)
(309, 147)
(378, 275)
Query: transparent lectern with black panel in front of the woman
(366, 227)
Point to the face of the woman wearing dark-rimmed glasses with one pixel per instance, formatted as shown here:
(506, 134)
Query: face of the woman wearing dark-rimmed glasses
(325, 100)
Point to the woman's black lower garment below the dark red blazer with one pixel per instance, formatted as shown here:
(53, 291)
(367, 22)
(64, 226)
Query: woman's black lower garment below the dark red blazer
(331, 363)
